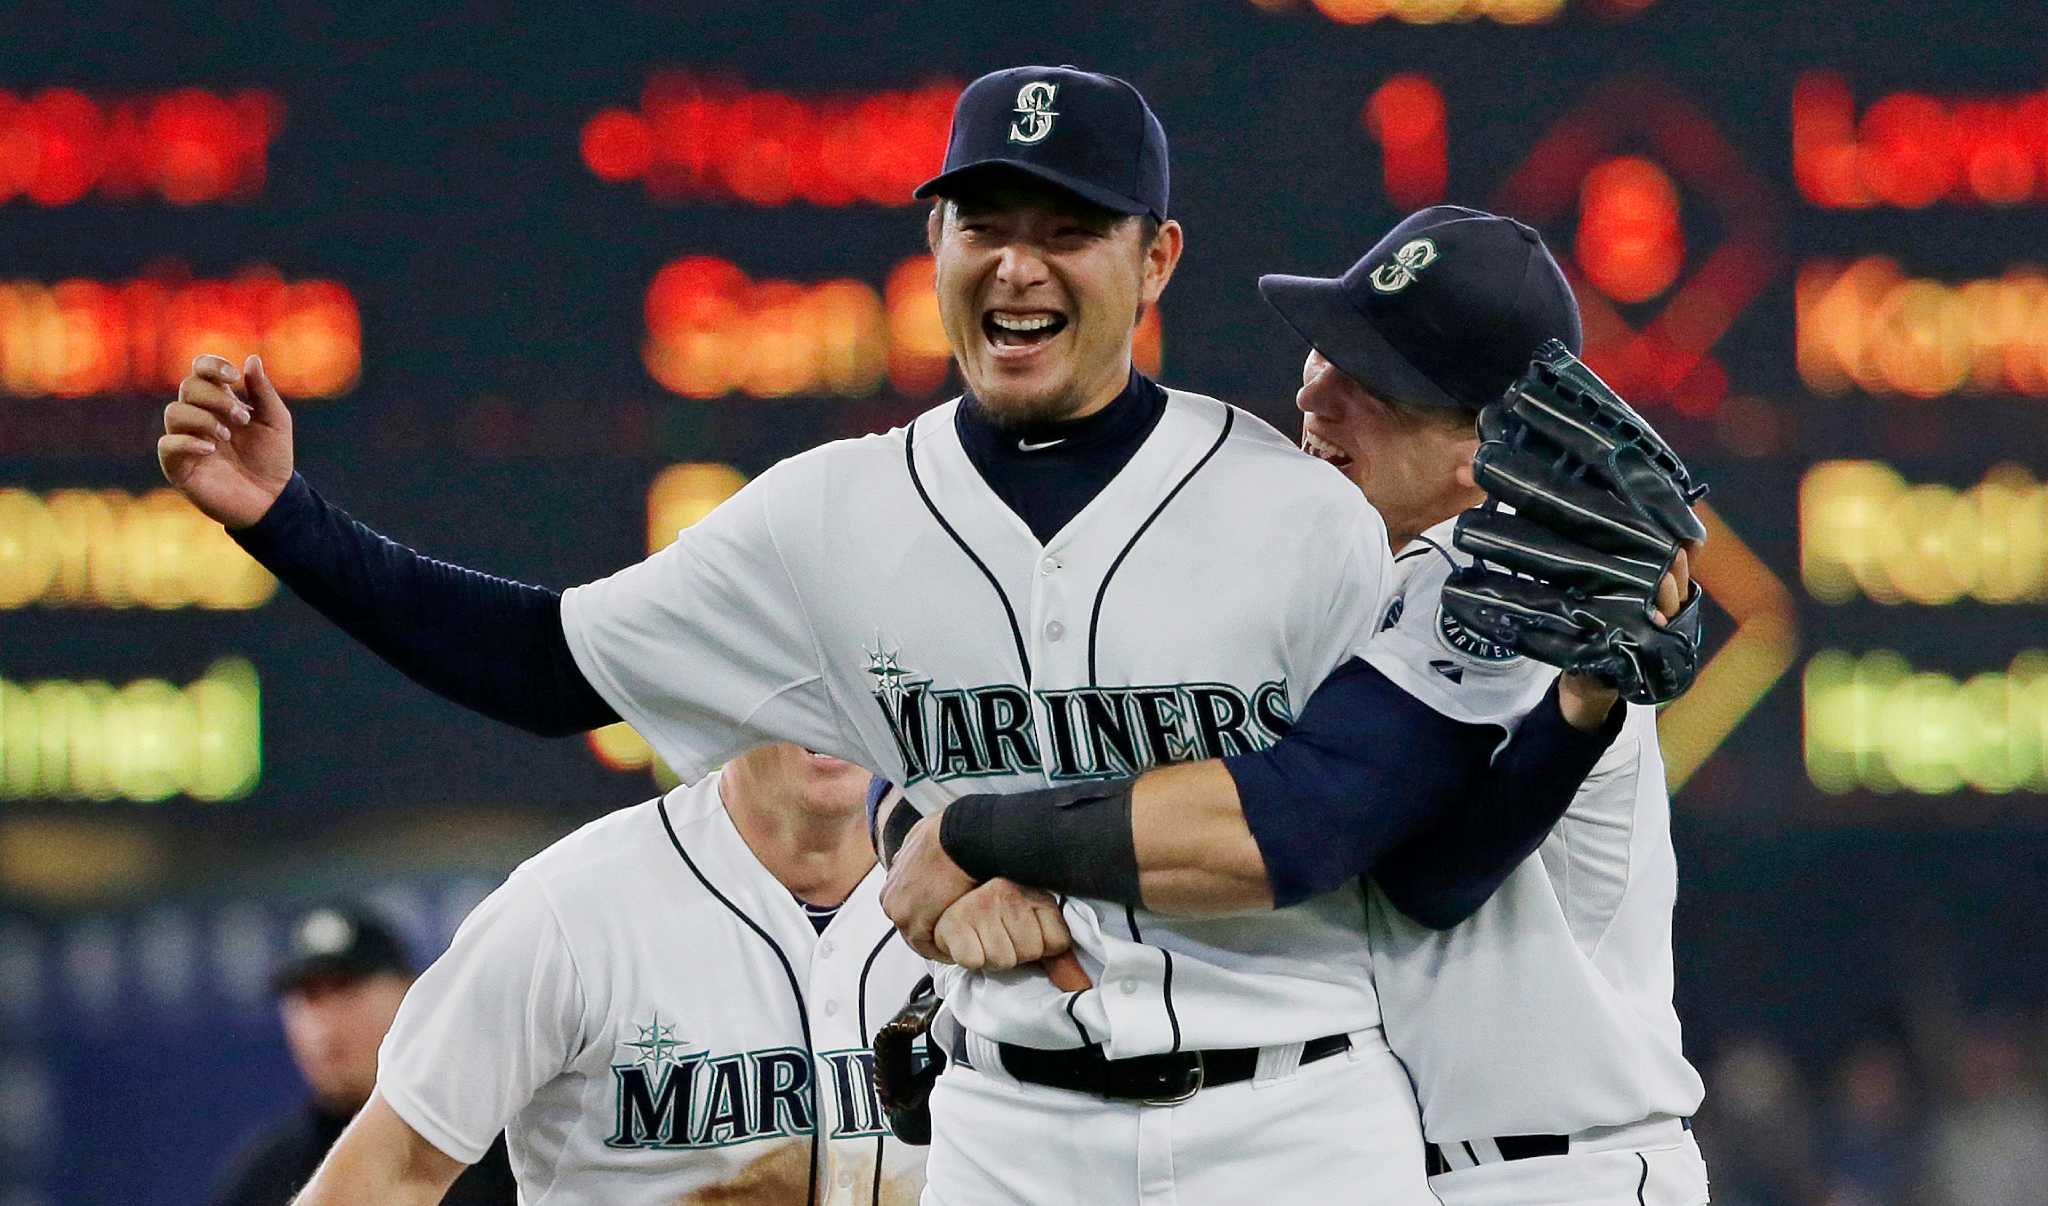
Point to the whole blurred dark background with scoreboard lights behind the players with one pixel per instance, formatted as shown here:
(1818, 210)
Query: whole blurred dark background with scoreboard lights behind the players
(546, 290)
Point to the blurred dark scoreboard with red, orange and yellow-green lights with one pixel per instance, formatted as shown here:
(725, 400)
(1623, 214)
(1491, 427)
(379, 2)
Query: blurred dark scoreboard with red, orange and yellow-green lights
(544, 298)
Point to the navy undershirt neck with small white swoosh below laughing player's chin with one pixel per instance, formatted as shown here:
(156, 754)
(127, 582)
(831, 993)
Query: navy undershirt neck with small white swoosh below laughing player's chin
(1050, 472)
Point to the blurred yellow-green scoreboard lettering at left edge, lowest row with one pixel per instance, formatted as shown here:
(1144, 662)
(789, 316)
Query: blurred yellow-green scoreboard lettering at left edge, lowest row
(142, 742)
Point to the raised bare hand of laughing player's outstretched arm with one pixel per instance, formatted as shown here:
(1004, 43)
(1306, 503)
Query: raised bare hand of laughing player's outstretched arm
(226, 441)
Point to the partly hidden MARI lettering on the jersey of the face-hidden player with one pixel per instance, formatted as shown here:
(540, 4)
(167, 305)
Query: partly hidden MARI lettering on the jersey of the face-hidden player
(671, 1096)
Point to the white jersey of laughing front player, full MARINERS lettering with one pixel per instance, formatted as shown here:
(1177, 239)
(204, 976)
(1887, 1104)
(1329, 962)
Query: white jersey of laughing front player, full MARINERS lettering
(878, 601)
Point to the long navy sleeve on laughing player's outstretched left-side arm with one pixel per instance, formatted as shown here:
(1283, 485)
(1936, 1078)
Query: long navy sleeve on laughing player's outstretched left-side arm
(488, 644)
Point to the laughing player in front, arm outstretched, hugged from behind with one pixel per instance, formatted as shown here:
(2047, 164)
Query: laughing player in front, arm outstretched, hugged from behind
(1066, 574)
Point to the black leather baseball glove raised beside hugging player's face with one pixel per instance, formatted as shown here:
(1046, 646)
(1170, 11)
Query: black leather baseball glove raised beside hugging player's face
(1601, 511)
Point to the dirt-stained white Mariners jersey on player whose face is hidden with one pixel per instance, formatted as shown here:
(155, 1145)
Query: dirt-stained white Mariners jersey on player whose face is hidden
(650, 1017)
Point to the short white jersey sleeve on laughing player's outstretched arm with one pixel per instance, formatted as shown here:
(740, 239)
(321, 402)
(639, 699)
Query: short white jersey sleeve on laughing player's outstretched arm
(706, 648)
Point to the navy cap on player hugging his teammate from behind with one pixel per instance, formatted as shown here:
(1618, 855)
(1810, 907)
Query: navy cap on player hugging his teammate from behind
(1447, 310)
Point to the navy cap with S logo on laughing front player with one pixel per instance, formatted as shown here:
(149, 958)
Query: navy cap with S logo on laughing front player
(1089, 134)
